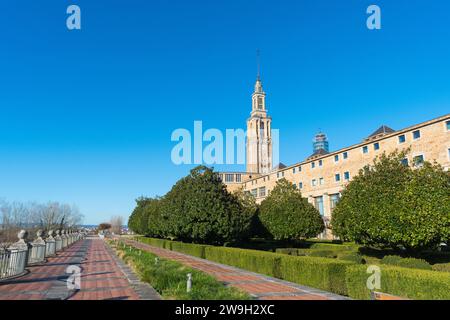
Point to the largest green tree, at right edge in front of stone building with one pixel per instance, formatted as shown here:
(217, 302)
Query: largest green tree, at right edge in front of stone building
(389, 204)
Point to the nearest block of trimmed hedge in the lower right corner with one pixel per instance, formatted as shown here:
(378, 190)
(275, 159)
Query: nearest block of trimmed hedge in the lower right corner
(402, 282)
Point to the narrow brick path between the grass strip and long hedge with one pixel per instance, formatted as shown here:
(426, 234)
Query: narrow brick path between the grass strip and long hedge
(259, 286)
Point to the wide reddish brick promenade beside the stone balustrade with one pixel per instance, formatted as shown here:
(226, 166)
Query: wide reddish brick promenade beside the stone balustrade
(103, 276)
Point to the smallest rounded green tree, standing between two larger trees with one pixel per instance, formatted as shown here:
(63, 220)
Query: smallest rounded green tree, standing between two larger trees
(289, 216)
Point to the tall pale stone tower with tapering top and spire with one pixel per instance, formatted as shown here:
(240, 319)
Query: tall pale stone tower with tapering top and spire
(259, 139)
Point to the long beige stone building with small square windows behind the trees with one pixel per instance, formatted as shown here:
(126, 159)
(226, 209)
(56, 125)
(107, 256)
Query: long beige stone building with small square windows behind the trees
(322, 176)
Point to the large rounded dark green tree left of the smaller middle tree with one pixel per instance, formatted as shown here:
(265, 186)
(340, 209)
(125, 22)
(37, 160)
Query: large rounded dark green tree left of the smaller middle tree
(199, 208)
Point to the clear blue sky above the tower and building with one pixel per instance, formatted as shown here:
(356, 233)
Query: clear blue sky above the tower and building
(86, 116)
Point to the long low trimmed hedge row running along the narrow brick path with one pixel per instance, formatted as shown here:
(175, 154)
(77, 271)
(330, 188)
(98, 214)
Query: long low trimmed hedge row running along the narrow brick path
(333, 275)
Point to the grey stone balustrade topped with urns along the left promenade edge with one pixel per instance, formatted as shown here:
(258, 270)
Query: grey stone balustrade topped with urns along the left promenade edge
(15, 259)
